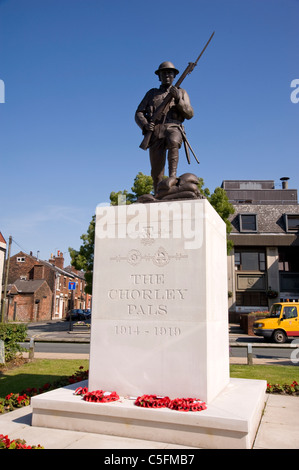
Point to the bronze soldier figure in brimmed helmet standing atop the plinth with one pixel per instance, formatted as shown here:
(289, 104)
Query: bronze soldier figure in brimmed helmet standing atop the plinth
(167, 132)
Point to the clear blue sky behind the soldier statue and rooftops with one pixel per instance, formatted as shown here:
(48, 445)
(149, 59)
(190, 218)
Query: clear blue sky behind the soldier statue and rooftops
(74, 72)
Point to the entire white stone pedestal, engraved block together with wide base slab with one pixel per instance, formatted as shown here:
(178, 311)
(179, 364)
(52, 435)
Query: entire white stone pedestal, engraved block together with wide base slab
(160, 326)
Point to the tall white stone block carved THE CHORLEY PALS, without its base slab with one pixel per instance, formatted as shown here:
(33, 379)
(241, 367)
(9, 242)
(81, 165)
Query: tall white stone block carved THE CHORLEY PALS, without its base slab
(159, 311)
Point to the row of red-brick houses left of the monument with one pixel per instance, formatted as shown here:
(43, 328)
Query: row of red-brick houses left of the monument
(39, 290)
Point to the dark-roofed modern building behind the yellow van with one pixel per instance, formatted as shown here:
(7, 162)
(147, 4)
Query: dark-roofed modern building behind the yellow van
(263, 266)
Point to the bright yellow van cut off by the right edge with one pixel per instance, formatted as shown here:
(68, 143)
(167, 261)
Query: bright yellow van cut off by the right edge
(282, 322)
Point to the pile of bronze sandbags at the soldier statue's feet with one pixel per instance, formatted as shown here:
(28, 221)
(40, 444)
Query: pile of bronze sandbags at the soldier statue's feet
(172, 188)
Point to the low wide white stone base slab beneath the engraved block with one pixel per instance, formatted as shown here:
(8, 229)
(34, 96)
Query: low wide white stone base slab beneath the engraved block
(229, 422)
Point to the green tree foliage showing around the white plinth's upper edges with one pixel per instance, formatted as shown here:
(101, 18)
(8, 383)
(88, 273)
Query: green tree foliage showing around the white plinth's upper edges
(143, 184)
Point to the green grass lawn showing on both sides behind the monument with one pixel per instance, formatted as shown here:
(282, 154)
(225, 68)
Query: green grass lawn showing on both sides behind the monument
(41, 371)
